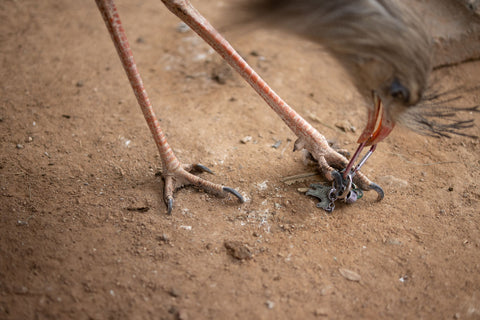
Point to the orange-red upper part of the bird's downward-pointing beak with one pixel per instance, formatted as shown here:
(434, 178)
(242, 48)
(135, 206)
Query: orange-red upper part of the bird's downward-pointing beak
(379, 124)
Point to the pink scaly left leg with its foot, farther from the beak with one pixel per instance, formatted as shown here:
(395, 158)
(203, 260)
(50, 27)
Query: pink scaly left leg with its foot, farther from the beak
(174, 173)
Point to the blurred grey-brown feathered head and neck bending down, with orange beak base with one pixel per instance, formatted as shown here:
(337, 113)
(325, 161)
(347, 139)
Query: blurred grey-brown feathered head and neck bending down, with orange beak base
(382, 45)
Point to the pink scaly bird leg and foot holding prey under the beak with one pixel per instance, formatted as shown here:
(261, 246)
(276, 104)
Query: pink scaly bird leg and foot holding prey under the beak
(308, 137)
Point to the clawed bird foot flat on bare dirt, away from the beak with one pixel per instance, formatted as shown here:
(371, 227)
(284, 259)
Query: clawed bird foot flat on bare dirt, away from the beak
(183, 176)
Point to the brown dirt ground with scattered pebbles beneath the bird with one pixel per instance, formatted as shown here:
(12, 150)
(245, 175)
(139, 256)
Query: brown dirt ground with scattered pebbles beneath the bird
(83, 228)
